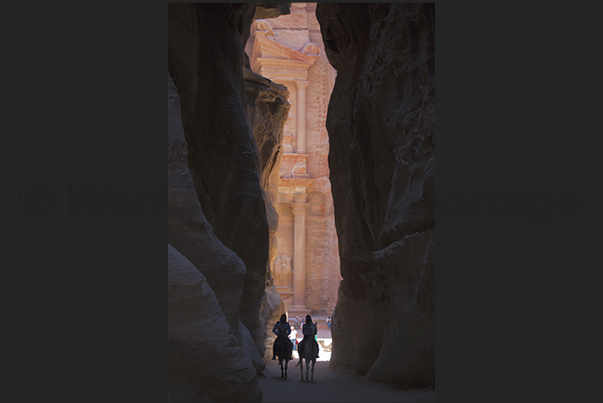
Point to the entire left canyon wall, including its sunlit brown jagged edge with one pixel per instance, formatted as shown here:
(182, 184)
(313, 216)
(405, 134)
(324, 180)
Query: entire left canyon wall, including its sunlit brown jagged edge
(219, 225)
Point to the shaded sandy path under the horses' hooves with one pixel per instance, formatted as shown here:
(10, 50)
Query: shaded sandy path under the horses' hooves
(330, 386)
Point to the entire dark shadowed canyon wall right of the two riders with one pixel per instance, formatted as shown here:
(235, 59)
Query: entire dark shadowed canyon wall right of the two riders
(381, 123)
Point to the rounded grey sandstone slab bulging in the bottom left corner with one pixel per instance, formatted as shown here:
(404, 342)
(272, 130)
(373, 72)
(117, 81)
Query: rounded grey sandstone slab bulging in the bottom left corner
(205, 360)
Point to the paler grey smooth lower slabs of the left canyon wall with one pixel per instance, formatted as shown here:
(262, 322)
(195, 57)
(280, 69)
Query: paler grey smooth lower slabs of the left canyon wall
(203, 325)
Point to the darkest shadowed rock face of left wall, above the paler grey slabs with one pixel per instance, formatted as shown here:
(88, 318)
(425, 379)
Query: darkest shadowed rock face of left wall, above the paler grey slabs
(205, 60)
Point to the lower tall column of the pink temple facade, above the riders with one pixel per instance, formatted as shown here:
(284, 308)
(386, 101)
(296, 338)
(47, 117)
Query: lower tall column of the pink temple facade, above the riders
(299, 256)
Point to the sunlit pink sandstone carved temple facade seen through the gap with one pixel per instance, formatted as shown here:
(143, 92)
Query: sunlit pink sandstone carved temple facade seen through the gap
(289, 50)
